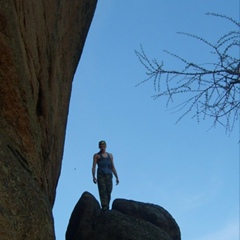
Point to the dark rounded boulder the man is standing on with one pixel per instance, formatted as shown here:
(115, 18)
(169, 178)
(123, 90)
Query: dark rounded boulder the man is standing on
(128, 220)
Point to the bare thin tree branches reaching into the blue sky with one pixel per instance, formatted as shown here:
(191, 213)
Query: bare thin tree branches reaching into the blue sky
(211, 90)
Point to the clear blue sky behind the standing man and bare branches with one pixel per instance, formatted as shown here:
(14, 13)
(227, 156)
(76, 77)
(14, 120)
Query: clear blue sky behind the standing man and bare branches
(189, 170)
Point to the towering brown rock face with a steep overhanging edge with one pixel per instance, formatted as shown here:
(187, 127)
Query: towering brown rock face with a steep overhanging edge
(41, 42)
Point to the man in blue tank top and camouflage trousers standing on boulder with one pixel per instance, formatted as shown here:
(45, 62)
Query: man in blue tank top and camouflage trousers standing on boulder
(105, 172)
